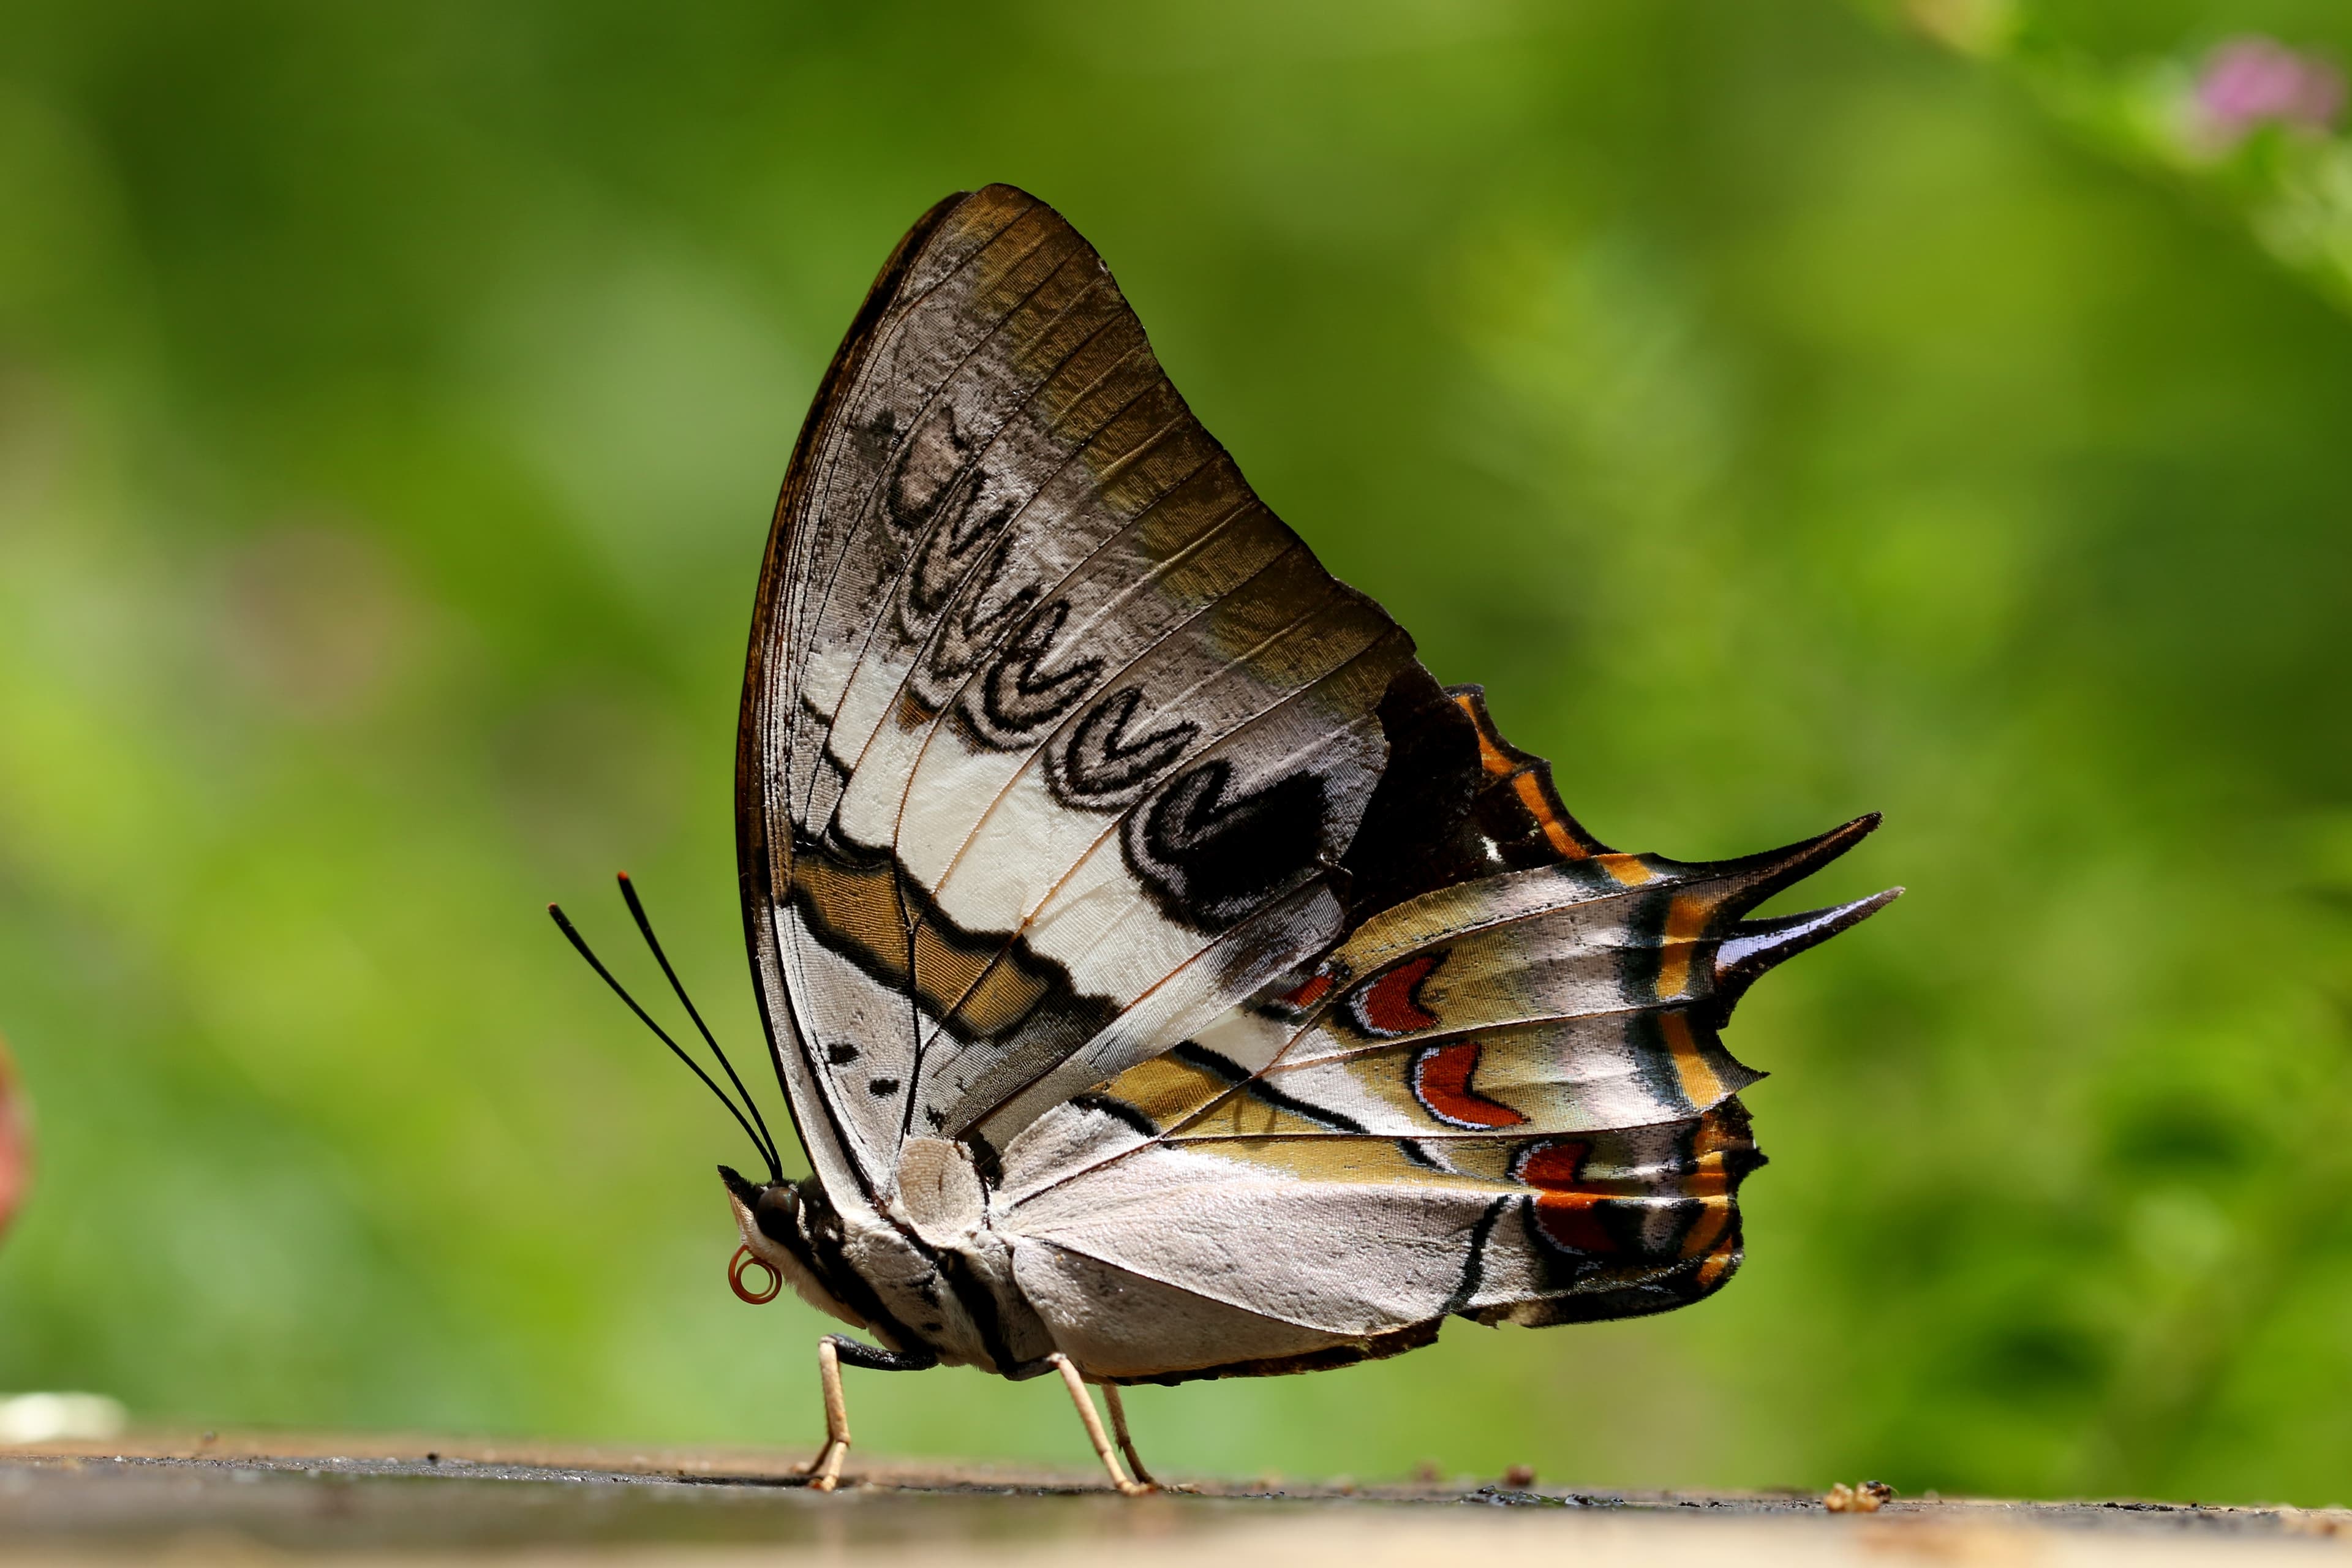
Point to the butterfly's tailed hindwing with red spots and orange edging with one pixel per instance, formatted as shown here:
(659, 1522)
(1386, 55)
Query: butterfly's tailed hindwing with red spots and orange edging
(1502, 1099)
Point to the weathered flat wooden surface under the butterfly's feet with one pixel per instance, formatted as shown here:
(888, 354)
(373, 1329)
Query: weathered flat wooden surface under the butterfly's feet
(279, 1499)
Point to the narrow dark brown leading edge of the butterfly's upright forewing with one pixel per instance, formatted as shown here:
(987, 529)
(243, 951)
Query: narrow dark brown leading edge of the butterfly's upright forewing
(763, 859)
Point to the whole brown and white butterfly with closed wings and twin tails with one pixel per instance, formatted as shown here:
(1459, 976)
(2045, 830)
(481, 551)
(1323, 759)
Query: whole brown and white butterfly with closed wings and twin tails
(1168, 977)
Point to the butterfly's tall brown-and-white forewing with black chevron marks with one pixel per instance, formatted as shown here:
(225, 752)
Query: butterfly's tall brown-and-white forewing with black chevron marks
(1060, 721)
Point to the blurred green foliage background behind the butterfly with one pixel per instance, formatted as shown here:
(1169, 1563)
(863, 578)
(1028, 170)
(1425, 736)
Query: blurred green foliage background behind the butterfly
(1786, 410)
